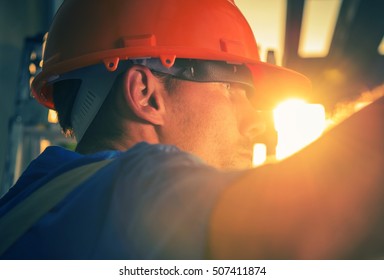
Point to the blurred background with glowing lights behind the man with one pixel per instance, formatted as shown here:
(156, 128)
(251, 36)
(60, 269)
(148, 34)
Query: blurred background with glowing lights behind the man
(338, 44)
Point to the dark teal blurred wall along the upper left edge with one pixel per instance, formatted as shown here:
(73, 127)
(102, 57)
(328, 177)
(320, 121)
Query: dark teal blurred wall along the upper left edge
(18, 20)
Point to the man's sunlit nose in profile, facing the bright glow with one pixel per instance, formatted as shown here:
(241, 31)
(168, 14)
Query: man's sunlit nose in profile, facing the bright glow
(251, 122)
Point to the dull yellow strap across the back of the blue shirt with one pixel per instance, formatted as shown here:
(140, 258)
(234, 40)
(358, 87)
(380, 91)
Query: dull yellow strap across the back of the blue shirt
(20, 218)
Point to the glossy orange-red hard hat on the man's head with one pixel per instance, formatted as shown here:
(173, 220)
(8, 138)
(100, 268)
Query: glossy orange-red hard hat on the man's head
(89, 32)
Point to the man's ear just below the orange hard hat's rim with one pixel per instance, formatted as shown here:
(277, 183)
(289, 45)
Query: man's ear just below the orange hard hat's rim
(143, 96)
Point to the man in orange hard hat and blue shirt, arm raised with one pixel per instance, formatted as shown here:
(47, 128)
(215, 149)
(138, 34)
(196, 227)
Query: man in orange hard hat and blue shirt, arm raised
(163, 98)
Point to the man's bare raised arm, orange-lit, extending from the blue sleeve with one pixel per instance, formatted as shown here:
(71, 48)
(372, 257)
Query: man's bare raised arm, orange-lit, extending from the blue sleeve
(327, 201)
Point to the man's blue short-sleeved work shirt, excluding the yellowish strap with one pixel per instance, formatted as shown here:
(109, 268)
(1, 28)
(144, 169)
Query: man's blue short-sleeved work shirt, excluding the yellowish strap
(150, 202)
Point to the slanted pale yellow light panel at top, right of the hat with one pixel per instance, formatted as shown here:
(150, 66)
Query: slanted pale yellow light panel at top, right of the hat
(317, 28)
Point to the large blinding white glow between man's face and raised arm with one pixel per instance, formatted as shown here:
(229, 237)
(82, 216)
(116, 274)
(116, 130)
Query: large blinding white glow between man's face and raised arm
(297, 124)
